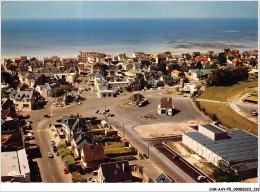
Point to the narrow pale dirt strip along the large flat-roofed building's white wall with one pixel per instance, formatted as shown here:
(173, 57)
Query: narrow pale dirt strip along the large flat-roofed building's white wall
(190, 156)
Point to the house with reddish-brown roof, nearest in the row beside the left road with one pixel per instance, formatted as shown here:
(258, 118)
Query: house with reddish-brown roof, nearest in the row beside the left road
(92, 155)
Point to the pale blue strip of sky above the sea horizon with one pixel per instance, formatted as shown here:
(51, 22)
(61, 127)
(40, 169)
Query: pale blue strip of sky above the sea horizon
(129, 9)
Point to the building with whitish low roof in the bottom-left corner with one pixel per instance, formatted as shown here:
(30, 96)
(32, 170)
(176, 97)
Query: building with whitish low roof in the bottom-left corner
(15, 167)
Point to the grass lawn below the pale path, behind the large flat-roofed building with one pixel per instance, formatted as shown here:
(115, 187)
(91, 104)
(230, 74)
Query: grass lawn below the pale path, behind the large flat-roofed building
(228, 117)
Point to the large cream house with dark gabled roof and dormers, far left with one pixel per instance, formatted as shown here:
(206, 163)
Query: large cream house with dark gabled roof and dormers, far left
(23, 100)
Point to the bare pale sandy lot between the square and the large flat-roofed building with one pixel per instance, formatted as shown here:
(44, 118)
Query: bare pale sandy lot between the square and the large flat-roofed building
(166, 129)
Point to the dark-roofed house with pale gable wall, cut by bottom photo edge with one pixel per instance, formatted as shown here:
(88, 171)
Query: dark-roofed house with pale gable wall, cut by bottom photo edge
(114, 172)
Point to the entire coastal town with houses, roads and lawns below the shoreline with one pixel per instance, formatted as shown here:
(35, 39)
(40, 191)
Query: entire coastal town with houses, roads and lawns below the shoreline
(144, 118)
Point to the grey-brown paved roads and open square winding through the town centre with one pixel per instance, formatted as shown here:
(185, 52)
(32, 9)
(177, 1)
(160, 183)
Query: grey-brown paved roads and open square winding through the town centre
(51, 169)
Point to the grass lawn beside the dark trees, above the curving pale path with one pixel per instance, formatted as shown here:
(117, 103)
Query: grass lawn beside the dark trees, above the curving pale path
(224, 92)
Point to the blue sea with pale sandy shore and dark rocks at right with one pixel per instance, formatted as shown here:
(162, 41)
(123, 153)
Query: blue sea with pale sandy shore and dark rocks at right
(66, 37)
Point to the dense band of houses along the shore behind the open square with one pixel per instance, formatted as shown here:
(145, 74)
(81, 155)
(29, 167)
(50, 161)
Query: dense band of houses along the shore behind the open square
(111, 75)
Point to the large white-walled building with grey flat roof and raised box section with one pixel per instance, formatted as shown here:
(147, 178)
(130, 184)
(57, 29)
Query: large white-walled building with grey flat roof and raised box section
(236, 146)
